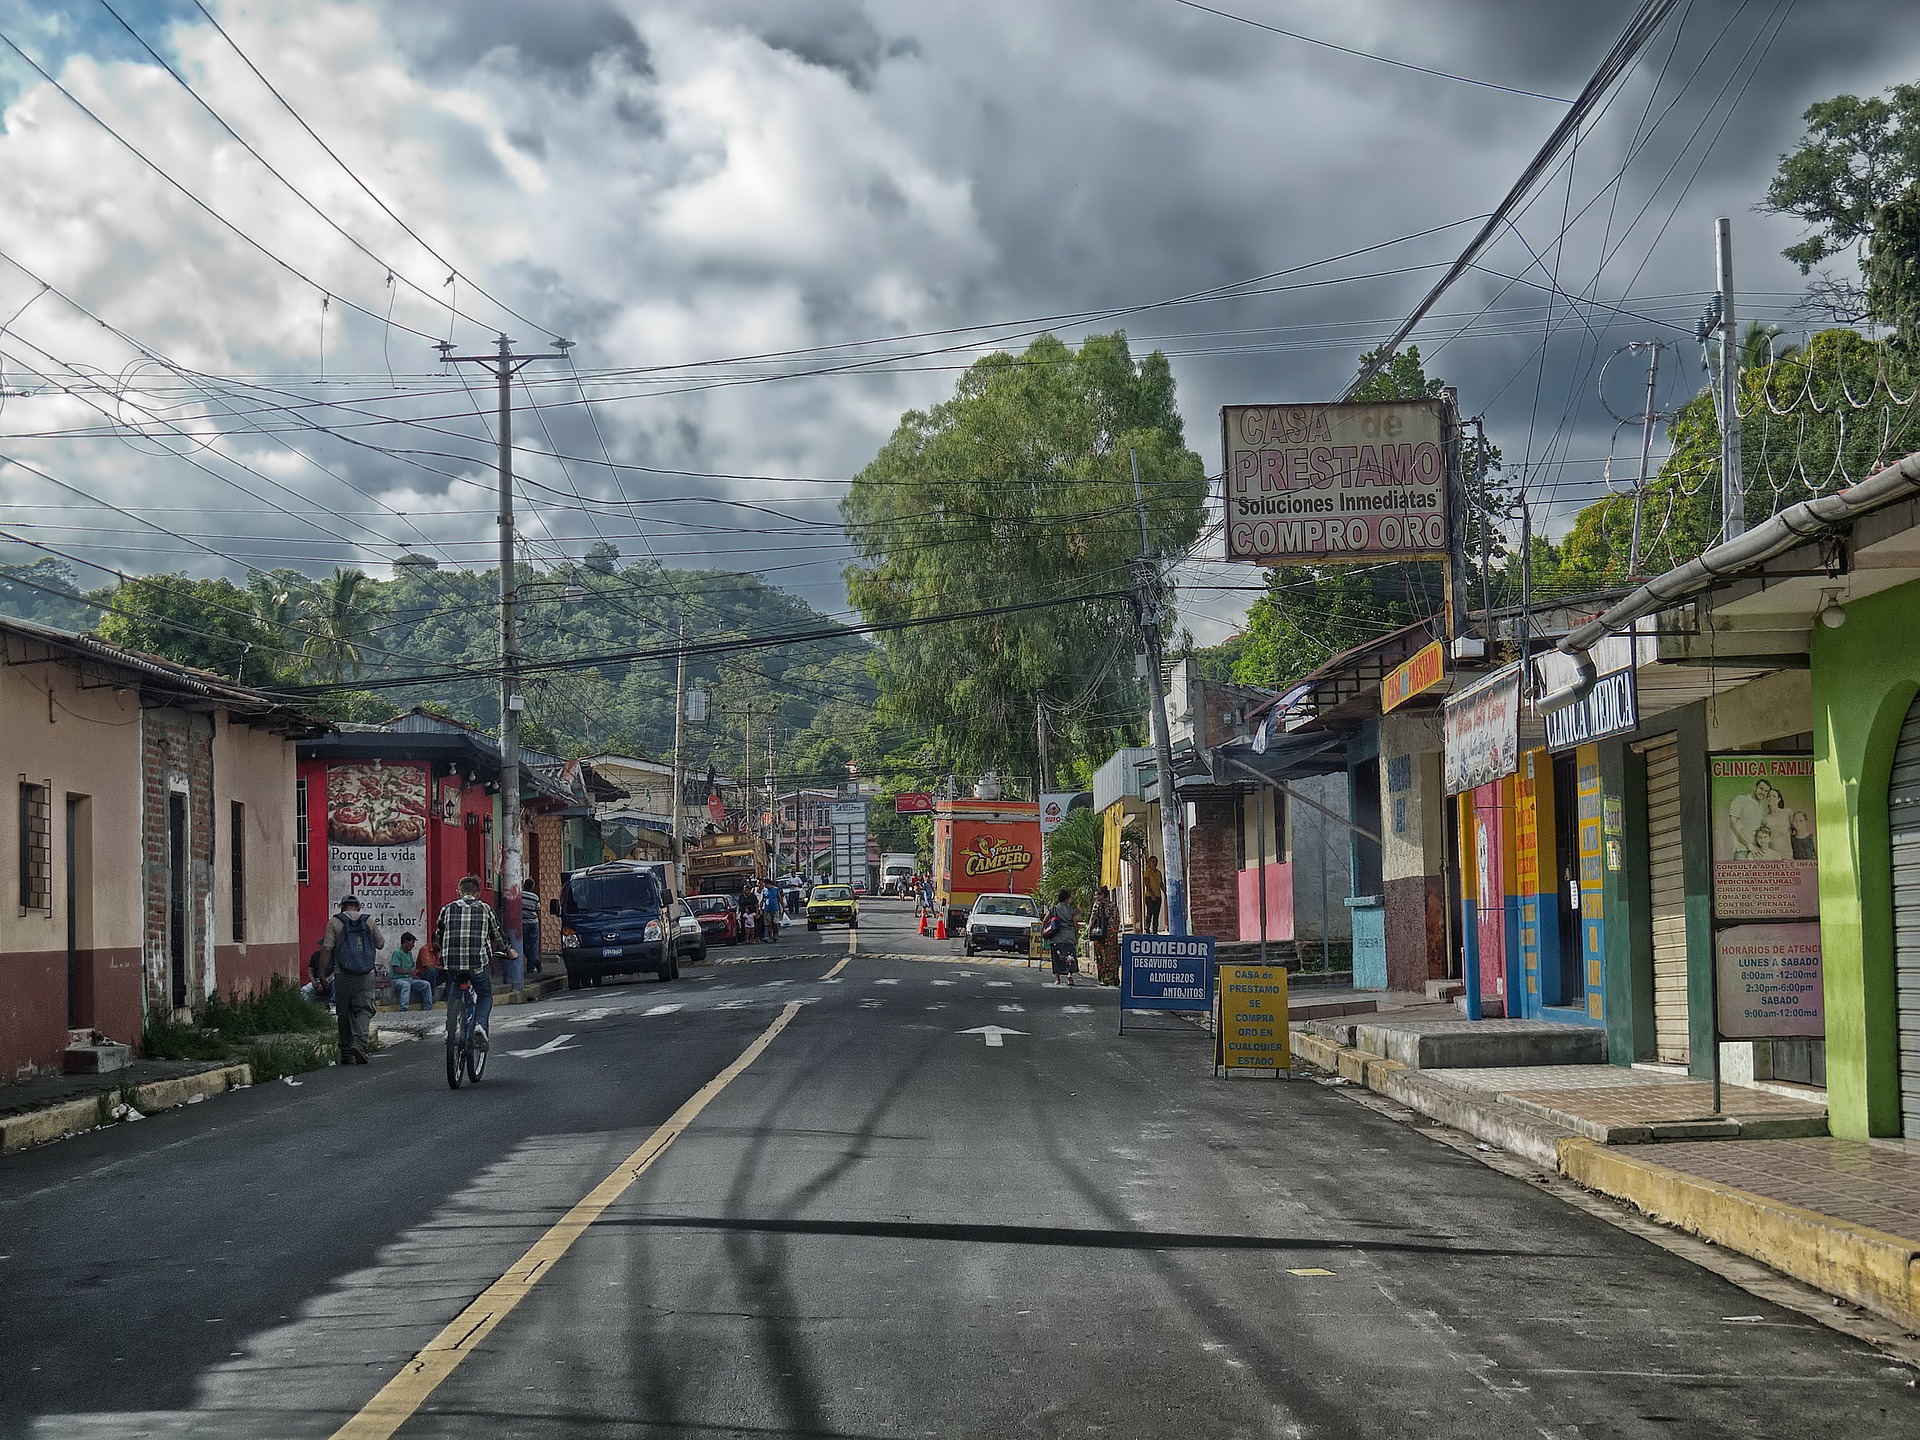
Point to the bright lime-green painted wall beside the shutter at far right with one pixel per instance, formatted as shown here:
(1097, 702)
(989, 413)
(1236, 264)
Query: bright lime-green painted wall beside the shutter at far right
(1865, 677)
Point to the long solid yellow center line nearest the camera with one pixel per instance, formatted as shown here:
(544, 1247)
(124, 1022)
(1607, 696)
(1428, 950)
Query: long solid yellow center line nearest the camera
(408, 1391)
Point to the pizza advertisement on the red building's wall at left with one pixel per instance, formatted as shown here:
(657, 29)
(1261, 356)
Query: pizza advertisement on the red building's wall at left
(377, 844)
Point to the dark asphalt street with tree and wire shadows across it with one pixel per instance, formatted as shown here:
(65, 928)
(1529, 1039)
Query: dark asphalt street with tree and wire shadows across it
(880, 1228)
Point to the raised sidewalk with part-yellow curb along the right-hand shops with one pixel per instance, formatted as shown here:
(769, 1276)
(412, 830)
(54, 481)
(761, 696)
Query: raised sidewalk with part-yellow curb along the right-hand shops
(1762, 1178)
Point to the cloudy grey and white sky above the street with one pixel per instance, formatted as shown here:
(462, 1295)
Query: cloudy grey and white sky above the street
(773, 226)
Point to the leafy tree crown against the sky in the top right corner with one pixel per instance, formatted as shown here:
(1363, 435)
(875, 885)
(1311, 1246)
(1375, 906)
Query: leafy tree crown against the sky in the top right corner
(1858, 156)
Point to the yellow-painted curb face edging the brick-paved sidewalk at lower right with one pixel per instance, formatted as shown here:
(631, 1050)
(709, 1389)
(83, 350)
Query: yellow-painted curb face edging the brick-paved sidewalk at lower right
(1871, 1268)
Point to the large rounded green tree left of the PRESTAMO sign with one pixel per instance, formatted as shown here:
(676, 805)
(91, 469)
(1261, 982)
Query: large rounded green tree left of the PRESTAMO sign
(1015, 491)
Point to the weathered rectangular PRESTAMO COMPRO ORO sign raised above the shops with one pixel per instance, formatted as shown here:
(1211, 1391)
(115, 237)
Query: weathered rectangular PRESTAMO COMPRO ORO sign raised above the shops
(1335, 483)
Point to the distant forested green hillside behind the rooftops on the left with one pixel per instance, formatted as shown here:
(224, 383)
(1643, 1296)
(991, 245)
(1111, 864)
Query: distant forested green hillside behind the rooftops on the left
(354, 635)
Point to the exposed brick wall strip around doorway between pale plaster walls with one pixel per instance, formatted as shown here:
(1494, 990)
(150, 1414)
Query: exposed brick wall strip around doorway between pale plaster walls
(176, 746)
